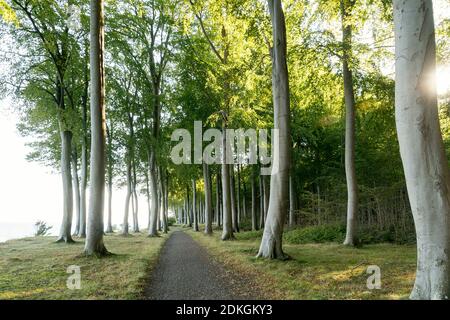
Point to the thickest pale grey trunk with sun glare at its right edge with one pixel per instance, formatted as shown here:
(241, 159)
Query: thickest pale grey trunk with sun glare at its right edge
(421, 145)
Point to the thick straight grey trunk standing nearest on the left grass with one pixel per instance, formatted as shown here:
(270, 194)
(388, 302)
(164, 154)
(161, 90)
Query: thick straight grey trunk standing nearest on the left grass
(94, 235)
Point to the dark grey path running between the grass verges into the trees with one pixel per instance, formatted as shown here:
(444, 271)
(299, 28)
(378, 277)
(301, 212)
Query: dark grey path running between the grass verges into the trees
(185, 271)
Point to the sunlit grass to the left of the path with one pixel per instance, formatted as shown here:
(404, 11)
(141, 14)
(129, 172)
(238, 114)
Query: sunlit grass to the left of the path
(35, 268)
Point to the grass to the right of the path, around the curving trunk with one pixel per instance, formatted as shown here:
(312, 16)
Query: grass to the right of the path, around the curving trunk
(318, 271)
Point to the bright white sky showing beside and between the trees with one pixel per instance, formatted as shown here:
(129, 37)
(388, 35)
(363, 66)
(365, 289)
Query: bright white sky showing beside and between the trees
(29, 192)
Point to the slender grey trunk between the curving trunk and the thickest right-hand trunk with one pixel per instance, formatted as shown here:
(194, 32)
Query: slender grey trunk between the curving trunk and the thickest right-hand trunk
(350, 170)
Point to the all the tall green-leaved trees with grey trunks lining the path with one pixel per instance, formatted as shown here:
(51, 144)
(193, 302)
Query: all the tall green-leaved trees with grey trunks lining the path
(170, 63)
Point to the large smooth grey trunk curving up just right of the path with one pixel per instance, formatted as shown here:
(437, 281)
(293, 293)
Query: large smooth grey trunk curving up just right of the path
(271, 244)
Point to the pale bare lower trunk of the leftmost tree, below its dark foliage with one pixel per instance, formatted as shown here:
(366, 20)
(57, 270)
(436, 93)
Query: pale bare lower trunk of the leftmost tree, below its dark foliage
(65, 234)
